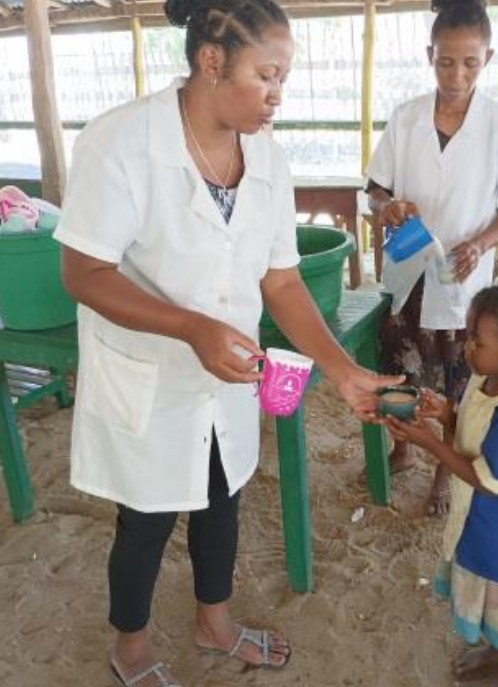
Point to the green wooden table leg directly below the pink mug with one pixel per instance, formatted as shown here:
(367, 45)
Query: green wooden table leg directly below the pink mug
(295, 500)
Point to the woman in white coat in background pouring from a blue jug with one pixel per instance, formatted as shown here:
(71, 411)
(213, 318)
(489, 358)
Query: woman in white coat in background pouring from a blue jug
(438, 158)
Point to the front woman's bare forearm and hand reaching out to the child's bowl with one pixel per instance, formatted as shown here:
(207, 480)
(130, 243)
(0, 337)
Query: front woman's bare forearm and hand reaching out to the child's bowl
(296, 314)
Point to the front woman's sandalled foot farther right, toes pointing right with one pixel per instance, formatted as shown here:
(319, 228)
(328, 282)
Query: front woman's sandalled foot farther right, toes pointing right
(215, 630)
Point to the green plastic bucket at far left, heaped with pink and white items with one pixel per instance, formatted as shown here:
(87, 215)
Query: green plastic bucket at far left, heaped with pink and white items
(31, 291)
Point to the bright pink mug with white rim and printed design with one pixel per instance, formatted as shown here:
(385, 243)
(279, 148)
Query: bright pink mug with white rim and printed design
(285, 375)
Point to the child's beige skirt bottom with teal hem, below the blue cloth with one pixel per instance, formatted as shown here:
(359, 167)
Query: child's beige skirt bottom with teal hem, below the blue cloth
(474, 602)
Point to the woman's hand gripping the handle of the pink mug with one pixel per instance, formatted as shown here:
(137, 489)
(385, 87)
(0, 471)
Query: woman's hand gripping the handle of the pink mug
(215, 342)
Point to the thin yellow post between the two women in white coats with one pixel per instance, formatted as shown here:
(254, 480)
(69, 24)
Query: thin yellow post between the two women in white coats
(366, 98)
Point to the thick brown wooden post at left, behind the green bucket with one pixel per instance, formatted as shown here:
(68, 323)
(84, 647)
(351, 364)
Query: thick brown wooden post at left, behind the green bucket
(47, 123)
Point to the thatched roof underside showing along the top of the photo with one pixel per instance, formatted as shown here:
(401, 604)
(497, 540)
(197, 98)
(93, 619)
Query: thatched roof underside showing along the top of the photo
(105, 15)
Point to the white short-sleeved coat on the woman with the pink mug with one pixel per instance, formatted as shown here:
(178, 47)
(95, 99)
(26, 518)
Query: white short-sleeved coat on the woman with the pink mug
(145, 406)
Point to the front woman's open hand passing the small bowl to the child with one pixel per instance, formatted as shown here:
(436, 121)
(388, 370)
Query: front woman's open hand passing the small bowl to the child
(358, 387)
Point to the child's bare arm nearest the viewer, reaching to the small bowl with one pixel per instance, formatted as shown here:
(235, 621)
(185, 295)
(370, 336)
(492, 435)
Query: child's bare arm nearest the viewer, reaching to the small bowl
(420, 433)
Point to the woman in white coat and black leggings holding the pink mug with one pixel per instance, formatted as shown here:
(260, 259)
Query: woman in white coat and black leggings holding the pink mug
(178, 222)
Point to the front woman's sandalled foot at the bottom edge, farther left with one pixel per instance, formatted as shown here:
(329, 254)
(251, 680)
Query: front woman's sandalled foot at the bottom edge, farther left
(133, 656)
